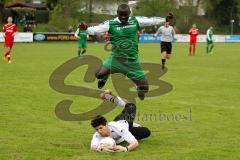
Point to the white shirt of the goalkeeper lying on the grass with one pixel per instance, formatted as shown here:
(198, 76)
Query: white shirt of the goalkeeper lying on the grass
(119, 131)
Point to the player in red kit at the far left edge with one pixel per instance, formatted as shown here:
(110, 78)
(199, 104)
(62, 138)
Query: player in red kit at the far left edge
(9, 31)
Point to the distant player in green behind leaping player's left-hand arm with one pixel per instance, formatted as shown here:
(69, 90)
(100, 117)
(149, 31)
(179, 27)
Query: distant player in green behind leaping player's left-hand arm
(81, 36)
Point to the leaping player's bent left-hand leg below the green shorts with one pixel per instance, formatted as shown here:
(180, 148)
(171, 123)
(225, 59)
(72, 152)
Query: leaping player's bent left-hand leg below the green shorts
(102, 74)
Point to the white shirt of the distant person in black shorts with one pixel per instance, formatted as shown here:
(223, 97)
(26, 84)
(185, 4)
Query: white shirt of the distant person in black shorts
(168, 33)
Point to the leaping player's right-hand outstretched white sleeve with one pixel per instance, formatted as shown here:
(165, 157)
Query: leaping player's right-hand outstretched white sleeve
(150, 21)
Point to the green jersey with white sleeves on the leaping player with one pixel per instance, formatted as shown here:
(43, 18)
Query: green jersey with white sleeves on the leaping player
(124, 37)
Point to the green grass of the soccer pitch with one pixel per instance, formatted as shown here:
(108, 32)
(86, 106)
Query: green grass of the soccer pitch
(206, 84)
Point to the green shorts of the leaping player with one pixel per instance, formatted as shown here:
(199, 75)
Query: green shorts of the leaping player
(127, 66)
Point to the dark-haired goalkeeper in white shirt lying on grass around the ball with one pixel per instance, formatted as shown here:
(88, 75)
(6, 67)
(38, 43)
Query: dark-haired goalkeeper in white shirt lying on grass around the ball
(122, 129)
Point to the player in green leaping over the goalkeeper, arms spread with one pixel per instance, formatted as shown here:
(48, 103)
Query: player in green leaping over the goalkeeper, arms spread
(123, 32)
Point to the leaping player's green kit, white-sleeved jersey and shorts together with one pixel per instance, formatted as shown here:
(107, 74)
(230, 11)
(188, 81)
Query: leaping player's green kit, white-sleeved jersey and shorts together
(124, 40)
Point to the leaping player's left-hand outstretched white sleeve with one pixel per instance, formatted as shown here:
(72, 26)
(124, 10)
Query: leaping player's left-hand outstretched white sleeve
(101, 28)
